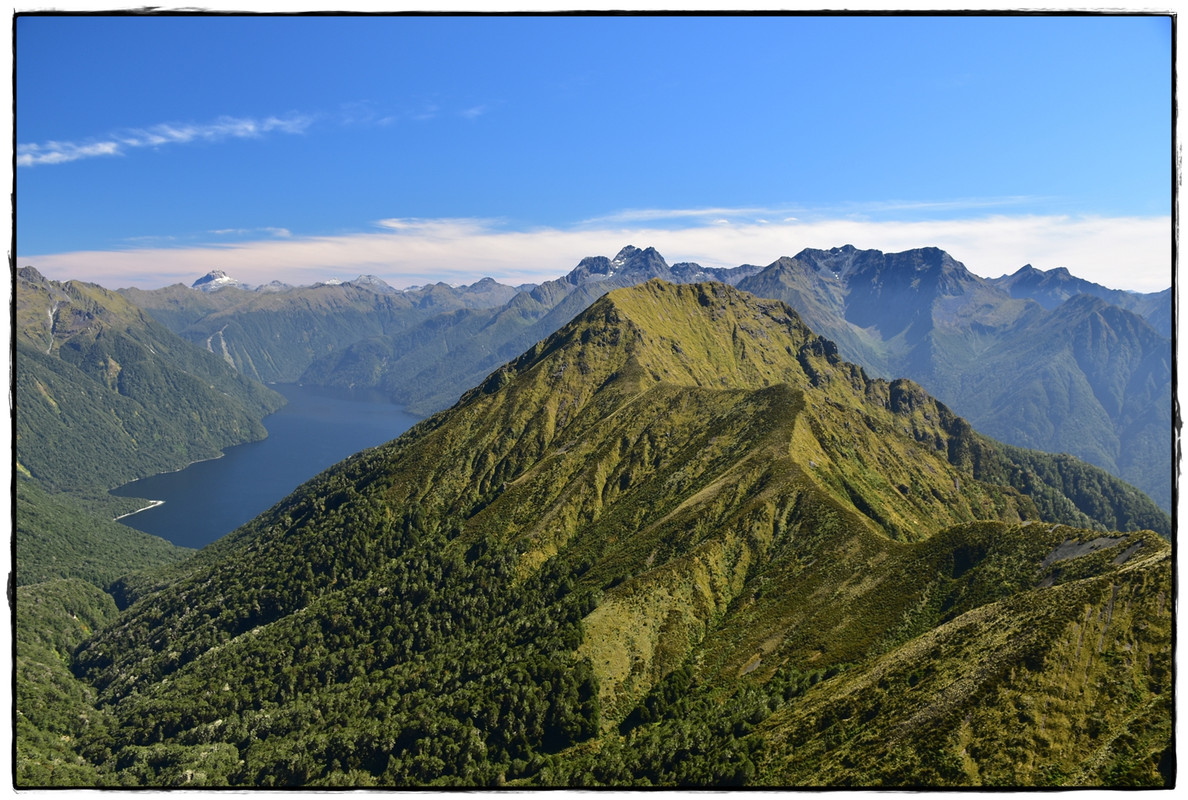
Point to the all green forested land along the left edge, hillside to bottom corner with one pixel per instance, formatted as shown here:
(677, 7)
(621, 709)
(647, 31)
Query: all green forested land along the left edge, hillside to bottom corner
(103, 394)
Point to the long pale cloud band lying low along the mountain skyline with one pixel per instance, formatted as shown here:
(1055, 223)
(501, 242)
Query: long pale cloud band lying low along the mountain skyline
(1120, 253)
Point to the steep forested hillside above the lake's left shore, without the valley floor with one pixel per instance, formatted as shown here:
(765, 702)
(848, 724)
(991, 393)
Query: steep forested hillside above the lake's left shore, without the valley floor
(106, 394)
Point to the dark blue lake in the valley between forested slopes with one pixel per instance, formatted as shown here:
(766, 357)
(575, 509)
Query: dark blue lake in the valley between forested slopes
(313, 432)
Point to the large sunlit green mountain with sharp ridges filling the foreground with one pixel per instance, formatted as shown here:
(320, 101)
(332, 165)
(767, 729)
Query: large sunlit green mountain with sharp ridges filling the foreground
(679, 543)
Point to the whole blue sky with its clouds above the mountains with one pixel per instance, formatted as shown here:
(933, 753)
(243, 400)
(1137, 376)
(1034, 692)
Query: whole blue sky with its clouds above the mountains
(153, 149)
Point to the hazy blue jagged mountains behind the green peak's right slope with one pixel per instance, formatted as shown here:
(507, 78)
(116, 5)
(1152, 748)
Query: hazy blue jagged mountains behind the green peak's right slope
(1072, 371)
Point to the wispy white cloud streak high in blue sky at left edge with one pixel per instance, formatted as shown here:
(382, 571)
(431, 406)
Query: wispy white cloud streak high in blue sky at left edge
(118, 143)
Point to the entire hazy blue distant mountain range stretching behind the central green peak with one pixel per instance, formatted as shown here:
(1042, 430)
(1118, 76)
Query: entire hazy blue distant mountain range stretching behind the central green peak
(1038, 360)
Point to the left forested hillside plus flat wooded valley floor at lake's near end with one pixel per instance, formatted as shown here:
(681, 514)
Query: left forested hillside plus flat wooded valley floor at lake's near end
(104, 395)
